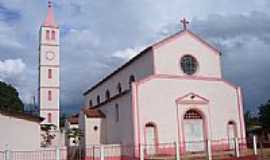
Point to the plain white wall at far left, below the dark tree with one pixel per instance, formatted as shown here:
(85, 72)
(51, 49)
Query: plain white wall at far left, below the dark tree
(19, 134)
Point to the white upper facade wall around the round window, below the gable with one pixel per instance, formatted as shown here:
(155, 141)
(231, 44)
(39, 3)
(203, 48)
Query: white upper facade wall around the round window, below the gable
(167, 57)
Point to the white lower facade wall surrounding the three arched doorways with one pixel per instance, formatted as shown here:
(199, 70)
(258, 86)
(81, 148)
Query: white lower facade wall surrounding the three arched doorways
(156, 103)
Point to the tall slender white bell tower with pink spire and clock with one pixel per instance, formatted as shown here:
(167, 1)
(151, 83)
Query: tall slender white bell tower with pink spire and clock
(49, 69)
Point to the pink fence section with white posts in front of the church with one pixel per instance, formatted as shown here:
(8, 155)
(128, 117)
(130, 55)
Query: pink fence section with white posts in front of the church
(213, 150)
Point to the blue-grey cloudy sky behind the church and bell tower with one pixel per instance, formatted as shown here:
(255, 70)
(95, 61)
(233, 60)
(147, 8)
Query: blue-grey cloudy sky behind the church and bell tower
(98, 36)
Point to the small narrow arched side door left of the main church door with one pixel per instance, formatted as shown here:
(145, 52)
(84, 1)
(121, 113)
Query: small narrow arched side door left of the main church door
(150, 135)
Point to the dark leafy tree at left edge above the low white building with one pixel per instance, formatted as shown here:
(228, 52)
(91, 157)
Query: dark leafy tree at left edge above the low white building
(9, 98)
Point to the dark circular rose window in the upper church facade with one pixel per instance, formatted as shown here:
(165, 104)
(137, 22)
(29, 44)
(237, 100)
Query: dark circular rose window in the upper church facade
(189, 64)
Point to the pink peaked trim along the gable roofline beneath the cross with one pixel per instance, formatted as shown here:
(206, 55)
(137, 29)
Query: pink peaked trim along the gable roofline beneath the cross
(179, 34)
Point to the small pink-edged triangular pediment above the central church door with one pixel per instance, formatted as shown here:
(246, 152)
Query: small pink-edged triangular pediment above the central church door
(192, 98)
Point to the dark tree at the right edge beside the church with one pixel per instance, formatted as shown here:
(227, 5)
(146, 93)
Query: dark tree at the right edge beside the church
(264, 115)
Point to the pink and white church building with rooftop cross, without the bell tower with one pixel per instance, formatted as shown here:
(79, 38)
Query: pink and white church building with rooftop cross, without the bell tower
(171, 91)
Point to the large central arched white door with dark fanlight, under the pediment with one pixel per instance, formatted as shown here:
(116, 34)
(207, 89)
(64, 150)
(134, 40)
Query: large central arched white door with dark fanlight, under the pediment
(193, 131)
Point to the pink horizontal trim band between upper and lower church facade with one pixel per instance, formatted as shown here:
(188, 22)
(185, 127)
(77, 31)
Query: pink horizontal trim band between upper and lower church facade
(166, 76)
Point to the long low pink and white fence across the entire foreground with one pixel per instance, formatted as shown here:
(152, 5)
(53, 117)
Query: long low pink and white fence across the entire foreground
(232, 149)
